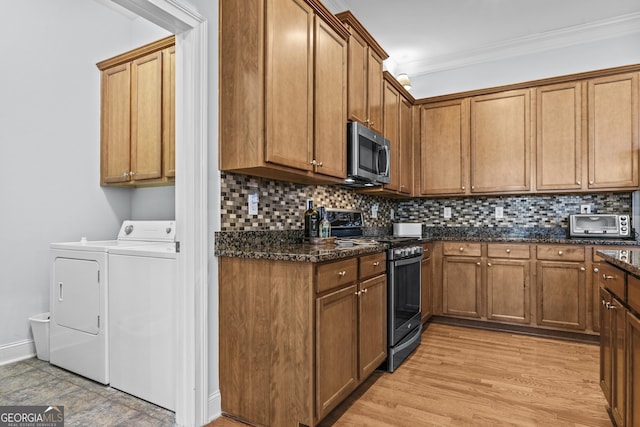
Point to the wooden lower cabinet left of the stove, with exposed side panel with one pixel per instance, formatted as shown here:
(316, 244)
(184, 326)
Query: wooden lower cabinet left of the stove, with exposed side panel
(296, 338)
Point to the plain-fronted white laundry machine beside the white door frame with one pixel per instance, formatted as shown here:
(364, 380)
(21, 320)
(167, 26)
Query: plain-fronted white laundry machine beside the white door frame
(142, 313)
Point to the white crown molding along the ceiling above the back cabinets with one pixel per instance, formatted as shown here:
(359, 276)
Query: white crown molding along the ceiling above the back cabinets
(570, 36)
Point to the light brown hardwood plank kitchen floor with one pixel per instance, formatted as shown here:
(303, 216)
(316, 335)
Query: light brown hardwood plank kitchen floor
(471, 377)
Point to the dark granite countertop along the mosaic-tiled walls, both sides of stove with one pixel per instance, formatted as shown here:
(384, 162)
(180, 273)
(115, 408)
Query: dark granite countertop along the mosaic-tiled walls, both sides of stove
(287, 244)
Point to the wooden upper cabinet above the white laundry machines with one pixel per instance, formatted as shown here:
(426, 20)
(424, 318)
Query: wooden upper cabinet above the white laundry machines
(137, 119)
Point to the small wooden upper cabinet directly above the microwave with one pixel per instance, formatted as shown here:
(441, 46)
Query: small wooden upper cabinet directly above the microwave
(365, 97)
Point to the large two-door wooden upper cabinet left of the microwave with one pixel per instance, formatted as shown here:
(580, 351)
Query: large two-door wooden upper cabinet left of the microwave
(283, 100)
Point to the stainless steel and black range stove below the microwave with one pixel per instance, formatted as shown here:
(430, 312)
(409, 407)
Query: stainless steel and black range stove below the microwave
(404, 282)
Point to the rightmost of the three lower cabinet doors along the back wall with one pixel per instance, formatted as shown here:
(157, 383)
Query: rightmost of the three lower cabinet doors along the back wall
(561, 295)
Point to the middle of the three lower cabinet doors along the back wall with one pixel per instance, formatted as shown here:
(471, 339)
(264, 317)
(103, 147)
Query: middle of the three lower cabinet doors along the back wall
(508, 291)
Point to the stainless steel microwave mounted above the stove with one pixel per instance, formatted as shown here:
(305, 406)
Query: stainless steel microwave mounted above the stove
(368, 161)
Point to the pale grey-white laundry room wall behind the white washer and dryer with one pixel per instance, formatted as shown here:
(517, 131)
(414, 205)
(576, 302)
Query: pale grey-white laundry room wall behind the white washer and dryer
(49, 145)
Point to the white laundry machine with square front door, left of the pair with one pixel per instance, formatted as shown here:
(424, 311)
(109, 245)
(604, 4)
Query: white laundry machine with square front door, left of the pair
(79, 323)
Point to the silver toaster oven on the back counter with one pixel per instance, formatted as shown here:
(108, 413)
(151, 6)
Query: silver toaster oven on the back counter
(600, 225)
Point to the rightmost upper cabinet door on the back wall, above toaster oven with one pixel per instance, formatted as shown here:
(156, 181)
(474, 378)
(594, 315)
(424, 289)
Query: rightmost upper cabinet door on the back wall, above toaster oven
(613, 132)
